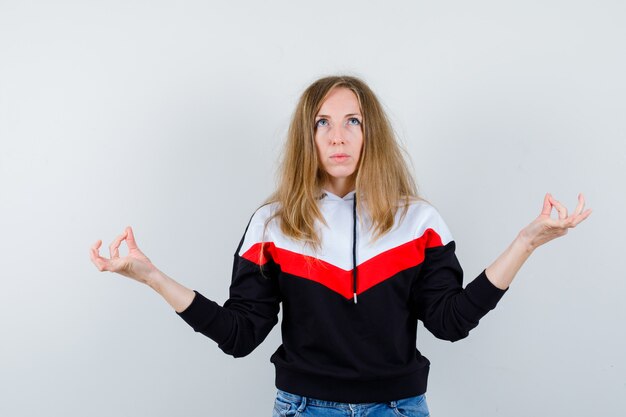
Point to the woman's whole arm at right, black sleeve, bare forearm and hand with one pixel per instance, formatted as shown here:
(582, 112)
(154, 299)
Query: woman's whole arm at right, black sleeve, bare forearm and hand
(450, 311)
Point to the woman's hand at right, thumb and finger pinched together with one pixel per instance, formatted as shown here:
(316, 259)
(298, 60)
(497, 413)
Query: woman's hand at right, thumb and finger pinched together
(545, 228)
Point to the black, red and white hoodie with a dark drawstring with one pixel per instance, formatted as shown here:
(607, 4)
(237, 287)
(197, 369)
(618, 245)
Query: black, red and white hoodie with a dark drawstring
(351, 307)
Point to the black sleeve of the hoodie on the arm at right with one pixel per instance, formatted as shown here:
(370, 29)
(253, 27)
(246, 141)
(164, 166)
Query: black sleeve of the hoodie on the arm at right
(448, 311)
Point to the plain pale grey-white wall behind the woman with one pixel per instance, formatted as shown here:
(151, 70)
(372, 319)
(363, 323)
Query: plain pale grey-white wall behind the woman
(170, 116)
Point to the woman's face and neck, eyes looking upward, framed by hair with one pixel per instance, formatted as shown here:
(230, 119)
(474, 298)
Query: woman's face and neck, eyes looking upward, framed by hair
(339, 138)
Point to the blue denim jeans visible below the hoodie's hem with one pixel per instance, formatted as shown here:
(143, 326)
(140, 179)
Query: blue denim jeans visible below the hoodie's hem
(293, 405)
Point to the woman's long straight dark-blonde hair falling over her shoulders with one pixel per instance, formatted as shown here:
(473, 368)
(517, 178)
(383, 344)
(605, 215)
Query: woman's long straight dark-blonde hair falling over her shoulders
(383, 182)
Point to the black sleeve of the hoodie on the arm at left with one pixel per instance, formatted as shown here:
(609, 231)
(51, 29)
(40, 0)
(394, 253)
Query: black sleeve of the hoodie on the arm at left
(247, 316)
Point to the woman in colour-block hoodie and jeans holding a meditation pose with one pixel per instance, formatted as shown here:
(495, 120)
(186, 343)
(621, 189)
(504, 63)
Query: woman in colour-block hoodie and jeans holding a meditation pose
(355, 258)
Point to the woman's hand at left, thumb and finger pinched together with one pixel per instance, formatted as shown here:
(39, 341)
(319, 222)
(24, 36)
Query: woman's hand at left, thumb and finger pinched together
(135, 265)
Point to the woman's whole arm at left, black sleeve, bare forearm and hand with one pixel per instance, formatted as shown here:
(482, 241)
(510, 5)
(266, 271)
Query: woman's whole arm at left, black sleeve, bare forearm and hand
(238, 327)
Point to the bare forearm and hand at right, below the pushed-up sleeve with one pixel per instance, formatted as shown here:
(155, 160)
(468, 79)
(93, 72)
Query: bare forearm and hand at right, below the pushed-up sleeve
(542, 230)
